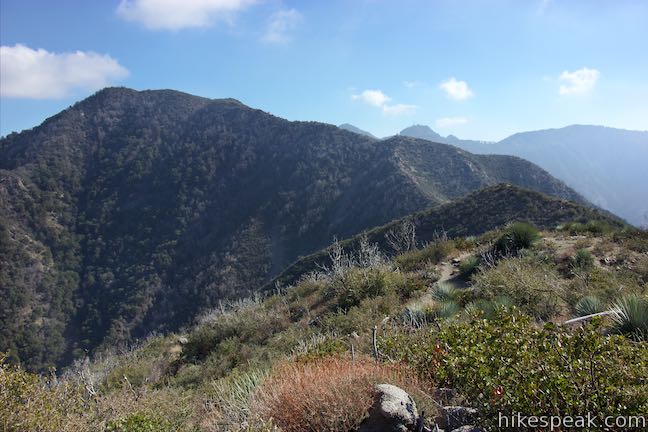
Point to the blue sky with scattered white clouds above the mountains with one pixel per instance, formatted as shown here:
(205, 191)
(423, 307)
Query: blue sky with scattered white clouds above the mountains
(476, 69)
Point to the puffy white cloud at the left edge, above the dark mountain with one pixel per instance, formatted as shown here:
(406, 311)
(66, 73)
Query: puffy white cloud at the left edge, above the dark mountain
(39, 74)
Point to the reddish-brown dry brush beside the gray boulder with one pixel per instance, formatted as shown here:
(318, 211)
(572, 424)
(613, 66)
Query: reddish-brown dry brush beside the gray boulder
(331, 394)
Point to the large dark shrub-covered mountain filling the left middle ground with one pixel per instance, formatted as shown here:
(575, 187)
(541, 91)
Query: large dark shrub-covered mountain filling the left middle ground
(132, 211)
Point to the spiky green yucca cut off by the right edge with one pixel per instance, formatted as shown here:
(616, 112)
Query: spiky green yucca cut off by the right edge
(630, 317)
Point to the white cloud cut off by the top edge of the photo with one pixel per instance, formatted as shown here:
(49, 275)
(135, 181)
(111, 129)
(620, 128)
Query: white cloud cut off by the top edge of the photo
(178, 14)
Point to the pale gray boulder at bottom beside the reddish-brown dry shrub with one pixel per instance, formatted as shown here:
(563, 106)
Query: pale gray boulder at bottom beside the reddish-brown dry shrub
(393, 411)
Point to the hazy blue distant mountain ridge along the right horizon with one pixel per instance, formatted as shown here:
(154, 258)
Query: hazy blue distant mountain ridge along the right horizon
(606, 165)
